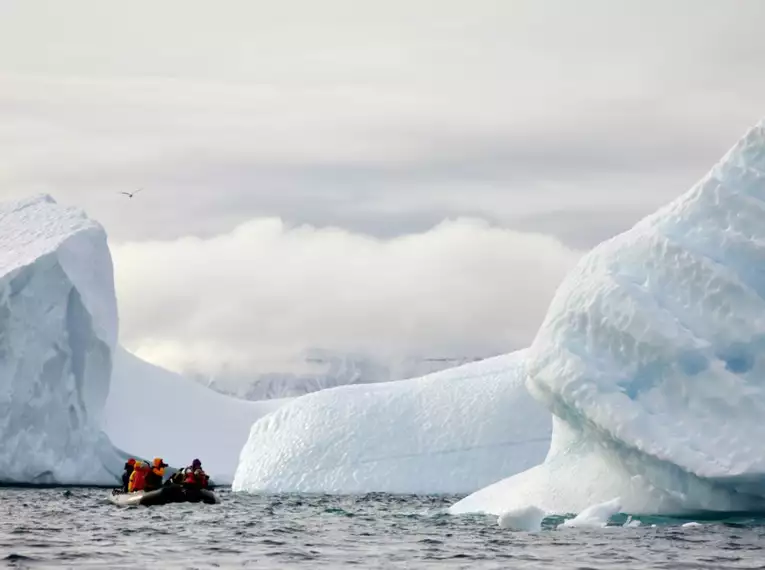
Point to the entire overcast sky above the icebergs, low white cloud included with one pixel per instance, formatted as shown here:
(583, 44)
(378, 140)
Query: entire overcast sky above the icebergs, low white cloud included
(385, 178)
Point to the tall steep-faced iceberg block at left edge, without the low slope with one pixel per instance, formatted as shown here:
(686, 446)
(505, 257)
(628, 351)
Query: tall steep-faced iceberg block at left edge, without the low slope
(58, 325)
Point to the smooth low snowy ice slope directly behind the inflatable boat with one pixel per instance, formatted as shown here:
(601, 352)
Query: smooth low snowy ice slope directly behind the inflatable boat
(152, 412)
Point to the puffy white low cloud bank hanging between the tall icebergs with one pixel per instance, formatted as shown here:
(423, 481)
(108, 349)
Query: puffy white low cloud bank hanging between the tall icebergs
(254, 300)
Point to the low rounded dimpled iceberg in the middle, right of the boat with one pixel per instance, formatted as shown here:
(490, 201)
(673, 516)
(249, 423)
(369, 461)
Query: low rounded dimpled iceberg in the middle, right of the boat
(450, 432)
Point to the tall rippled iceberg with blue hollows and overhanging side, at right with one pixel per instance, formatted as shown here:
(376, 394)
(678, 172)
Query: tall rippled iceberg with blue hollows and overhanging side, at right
(652, 360)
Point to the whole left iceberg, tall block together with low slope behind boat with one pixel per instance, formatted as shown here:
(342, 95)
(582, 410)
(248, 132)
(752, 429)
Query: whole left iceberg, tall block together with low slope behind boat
(68, 392)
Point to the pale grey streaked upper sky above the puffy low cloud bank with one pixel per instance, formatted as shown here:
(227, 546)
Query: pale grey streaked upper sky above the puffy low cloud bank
(573, 119)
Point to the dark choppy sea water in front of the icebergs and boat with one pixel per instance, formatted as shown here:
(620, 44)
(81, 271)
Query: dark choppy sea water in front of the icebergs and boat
(78, 528)
